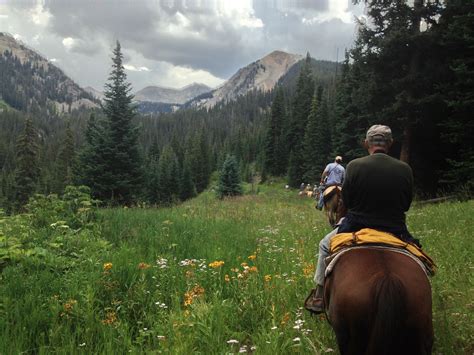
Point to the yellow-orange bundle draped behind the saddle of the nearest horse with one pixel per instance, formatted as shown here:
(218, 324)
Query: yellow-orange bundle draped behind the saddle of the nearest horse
(368, 236)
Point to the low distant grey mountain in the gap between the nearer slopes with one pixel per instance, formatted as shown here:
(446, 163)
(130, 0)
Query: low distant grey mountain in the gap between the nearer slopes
(169, 95)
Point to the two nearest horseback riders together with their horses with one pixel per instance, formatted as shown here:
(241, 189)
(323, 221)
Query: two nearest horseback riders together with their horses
(372, 276)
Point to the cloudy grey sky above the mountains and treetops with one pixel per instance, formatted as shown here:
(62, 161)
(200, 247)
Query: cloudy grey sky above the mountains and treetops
(174, 43)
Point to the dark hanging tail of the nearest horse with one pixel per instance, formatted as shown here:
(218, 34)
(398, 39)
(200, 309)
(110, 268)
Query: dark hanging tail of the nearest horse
(390, 301)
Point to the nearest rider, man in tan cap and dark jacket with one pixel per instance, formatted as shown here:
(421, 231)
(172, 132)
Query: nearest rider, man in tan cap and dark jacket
(377, 191)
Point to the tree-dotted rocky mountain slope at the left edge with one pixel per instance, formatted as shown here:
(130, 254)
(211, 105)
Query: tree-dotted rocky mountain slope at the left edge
(31, 82)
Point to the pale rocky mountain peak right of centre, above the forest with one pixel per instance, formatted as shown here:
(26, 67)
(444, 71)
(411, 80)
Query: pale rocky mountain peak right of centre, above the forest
(260, 75)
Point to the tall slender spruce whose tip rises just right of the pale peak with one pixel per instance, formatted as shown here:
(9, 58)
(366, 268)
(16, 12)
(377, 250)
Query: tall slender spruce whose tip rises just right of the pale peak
(301, 109)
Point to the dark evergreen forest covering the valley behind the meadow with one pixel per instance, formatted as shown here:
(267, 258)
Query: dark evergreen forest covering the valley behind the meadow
(411, 67)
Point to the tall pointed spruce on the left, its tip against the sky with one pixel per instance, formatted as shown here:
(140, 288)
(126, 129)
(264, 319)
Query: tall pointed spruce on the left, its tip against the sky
(121, 176)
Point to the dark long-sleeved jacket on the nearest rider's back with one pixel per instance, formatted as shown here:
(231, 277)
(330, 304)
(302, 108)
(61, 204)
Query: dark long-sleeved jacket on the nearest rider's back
(379, 189)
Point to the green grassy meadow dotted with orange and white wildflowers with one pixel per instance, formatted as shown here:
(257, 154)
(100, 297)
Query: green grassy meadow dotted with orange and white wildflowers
(208, 276)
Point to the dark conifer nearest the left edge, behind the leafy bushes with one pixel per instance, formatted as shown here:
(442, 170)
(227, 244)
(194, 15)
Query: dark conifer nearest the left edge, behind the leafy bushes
(27, 169)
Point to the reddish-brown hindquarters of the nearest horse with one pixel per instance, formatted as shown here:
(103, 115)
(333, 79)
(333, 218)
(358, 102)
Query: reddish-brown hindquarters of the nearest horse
(379, 302)
